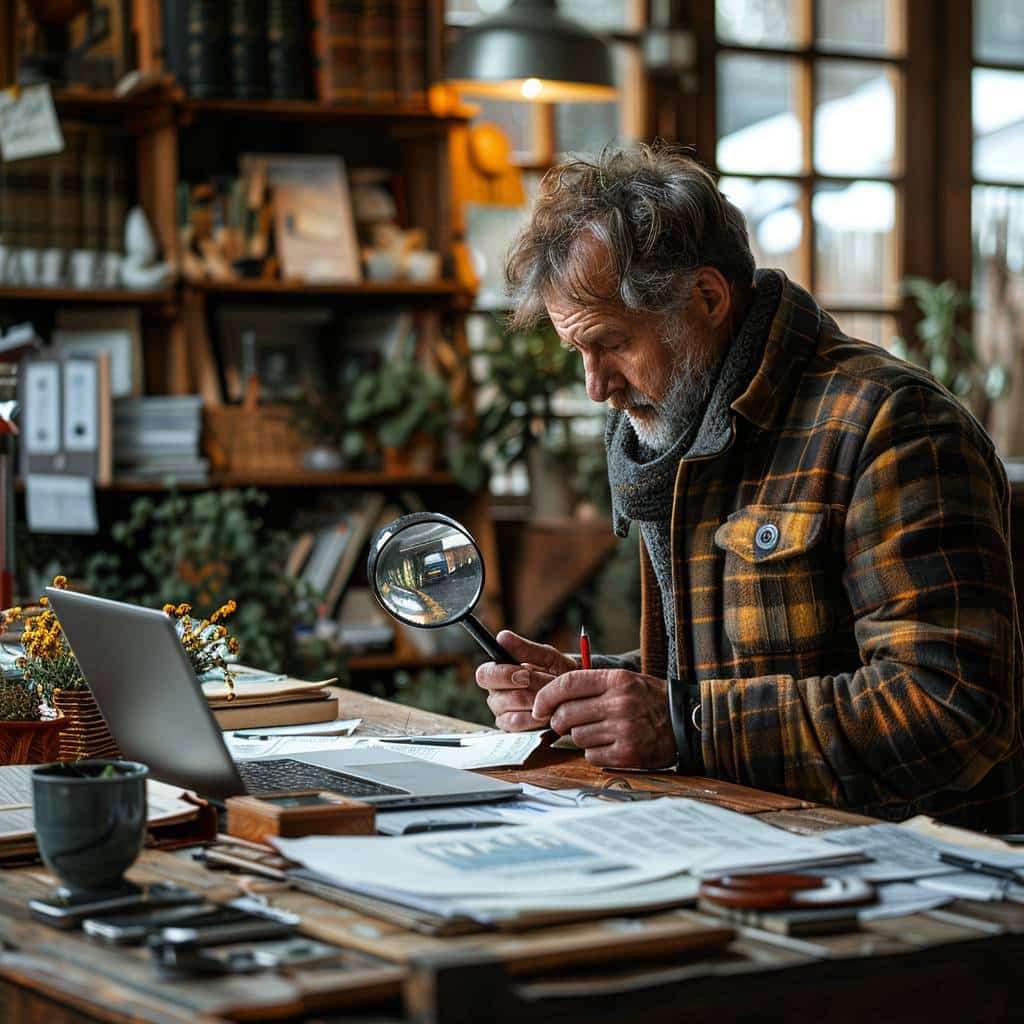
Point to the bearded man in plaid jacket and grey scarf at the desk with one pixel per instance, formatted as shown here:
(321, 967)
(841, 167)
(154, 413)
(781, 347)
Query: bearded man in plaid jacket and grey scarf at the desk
(828, 595)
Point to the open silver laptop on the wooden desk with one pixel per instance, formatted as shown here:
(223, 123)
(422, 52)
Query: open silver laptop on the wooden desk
(155, 709)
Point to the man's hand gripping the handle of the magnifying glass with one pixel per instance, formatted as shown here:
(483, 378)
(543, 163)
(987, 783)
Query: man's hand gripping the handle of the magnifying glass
(511, 689)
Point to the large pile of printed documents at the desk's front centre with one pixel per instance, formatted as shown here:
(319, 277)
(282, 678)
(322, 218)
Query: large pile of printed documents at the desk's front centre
(618, 859)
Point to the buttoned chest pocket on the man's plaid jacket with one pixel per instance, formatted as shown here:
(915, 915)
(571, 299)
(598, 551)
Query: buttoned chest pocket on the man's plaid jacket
(775, 589)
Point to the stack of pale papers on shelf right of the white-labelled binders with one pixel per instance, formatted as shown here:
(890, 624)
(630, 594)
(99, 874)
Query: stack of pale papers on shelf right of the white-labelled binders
(159, 437)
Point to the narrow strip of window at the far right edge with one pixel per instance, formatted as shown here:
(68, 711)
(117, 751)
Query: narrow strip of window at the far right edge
(998, 193)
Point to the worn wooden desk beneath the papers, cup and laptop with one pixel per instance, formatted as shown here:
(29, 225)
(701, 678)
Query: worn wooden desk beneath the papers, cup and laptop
(956, 962)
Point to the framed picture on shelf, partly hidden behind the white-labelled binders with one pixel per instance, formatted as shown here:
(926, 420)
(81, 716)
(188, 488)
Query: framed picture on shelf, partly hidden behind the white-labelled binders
(117, 332)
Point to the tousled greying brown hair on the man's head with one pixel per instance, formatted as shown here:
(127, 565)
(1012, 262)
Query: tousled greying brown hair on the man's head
(656, 211)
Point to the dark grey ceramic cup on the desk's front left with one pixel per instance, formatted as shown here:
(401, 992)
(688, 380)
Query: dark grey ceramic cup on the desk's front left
(90, 828)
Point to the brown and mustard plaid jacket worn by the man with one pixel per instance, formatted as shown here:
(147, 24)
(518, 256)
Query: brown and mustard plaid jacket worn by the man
(843, 587)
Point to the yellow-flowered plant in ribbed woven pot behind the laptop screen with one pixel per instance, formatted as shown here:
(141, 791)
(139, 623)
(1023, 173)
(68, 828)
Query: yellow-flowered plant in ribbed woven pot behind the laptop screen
(52, 672)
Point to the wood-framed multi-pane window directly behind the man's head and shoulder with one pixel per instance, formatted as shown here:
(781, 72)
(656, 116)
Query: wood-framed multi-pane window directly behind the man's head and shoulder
(809, 106)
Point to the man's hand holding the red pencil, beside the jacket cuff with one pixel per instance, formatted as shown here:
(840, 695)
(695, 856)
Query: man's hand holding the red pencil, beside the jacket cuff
(620, 718)
